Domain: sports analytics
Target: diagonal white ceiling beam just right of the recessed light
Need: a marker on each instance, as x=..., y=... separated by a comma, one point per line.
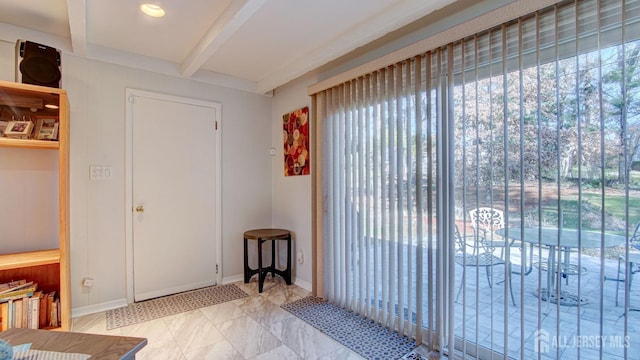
x=234, y=16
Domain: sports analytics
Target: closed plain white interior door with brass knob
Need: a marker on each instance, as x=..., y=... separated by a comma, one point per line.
x=174, y=180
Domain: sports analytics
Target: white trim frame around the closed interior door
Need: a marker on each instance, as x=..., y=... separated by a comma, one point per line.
x=130, y=95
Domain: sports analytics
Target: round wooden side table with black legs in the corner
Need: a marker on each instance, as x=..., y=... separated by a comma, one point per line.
x=262, y=235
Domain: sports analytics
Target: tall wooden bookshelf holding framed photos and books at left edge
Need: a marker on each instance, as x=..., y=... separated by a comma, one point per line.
x=49, y=268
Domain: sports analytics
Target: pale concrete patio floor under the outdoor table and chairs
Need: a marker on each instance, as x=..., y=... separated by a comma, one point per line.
x=561, y=331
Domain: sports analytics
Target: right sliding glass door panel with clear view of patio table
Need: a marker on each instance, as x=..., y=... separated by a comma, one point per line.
x=547, y=130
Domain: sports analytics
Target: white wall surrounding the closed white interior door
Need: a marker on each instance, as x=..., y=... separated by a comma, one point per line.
x=97, y=101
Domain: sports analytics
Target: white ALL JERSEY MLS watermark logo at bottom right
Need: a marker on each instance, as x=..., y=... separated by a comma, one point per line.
x=545, y=343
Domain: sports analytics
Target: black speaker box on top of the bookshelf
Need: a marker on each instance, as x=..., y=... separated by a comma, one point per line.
x=37, y=64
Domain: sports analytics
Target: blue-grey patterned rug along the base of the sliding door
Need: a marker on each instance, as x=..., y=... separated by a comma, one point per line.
x=356, y=332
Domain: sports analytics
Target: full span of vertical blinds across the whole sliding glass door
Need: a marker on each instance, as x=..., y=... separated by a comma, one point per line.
x=537, y=118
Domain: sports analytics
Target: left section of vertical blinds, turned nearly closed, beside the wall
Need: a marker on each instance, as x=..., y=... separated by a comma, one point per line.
x=380, y=141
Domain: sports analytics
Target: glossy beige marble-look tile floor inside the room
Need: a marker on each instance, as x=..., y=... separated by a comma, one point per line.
x=254, y=327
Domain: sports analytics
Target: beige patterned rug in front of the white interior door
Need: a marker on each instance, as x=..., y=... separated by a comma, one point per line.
x=173, y=304
